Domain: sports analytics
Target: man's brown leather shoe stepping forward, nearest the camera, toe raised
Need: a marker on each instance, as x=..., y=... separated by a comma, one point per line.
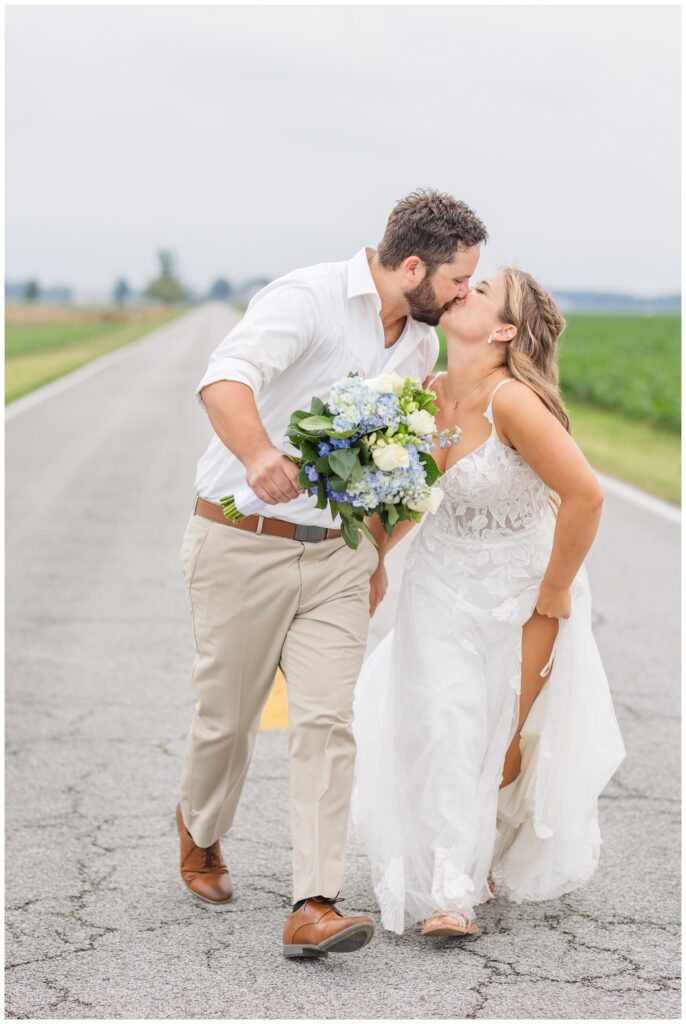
x=320, y=928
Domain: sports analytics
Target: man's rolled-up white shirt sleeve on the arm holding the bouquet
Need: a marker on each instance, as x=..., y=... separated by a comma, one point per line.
x=281, y=324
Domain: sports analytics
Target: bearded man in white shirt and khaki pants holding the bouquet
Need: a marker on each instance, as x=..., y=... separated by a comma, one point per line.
x=283, y=589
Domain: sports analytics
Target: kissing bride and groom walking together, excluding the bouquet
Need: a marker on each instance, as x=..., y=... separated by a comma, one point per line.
x=476, y=740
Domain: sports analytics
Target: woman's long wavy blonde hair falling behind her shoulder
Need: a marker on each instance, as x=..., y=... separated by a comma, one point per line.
x=532, y=356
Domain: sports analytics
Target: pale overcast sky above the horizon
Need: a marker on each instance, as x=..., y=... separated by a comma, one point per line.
x=252, y=141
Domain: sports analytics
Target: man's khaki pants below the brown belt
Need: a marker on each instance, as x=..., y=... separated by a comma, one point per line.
x=260, y=603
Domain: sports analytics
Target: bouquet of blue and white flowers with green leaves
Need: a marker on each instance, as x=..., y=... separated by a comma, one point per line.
x=367, y=450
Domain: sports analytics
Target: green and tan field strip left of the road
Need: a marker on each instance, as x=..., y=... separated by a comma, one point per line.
x=45, y=344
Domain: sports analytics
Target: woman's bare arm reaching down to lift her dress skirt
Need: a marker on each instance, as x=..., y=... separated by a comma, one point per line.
x=526, y=424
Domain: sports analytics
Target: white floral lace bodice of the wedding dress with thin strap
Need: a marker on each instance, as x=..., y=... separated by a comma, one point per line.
x=490, y=493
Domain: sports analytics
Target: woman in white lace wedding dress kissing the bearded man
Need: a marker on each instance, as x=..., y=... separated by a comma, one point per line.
x=485, y=726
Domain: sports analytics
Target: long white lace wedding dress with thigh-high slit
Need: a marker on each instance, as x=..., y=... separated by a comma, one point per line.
x=438, y=704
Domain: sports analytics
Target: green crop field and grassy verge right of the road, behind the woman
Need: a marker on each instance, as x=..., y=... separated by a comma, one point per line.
x=621, y=377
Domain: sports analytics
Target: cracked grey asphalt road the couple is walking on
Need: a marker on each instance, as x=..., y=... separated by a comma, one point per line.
x=100, y=486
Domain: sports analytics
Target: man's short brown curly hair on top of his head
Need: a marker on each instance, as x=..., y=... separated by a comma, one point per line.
x=433, y=226
